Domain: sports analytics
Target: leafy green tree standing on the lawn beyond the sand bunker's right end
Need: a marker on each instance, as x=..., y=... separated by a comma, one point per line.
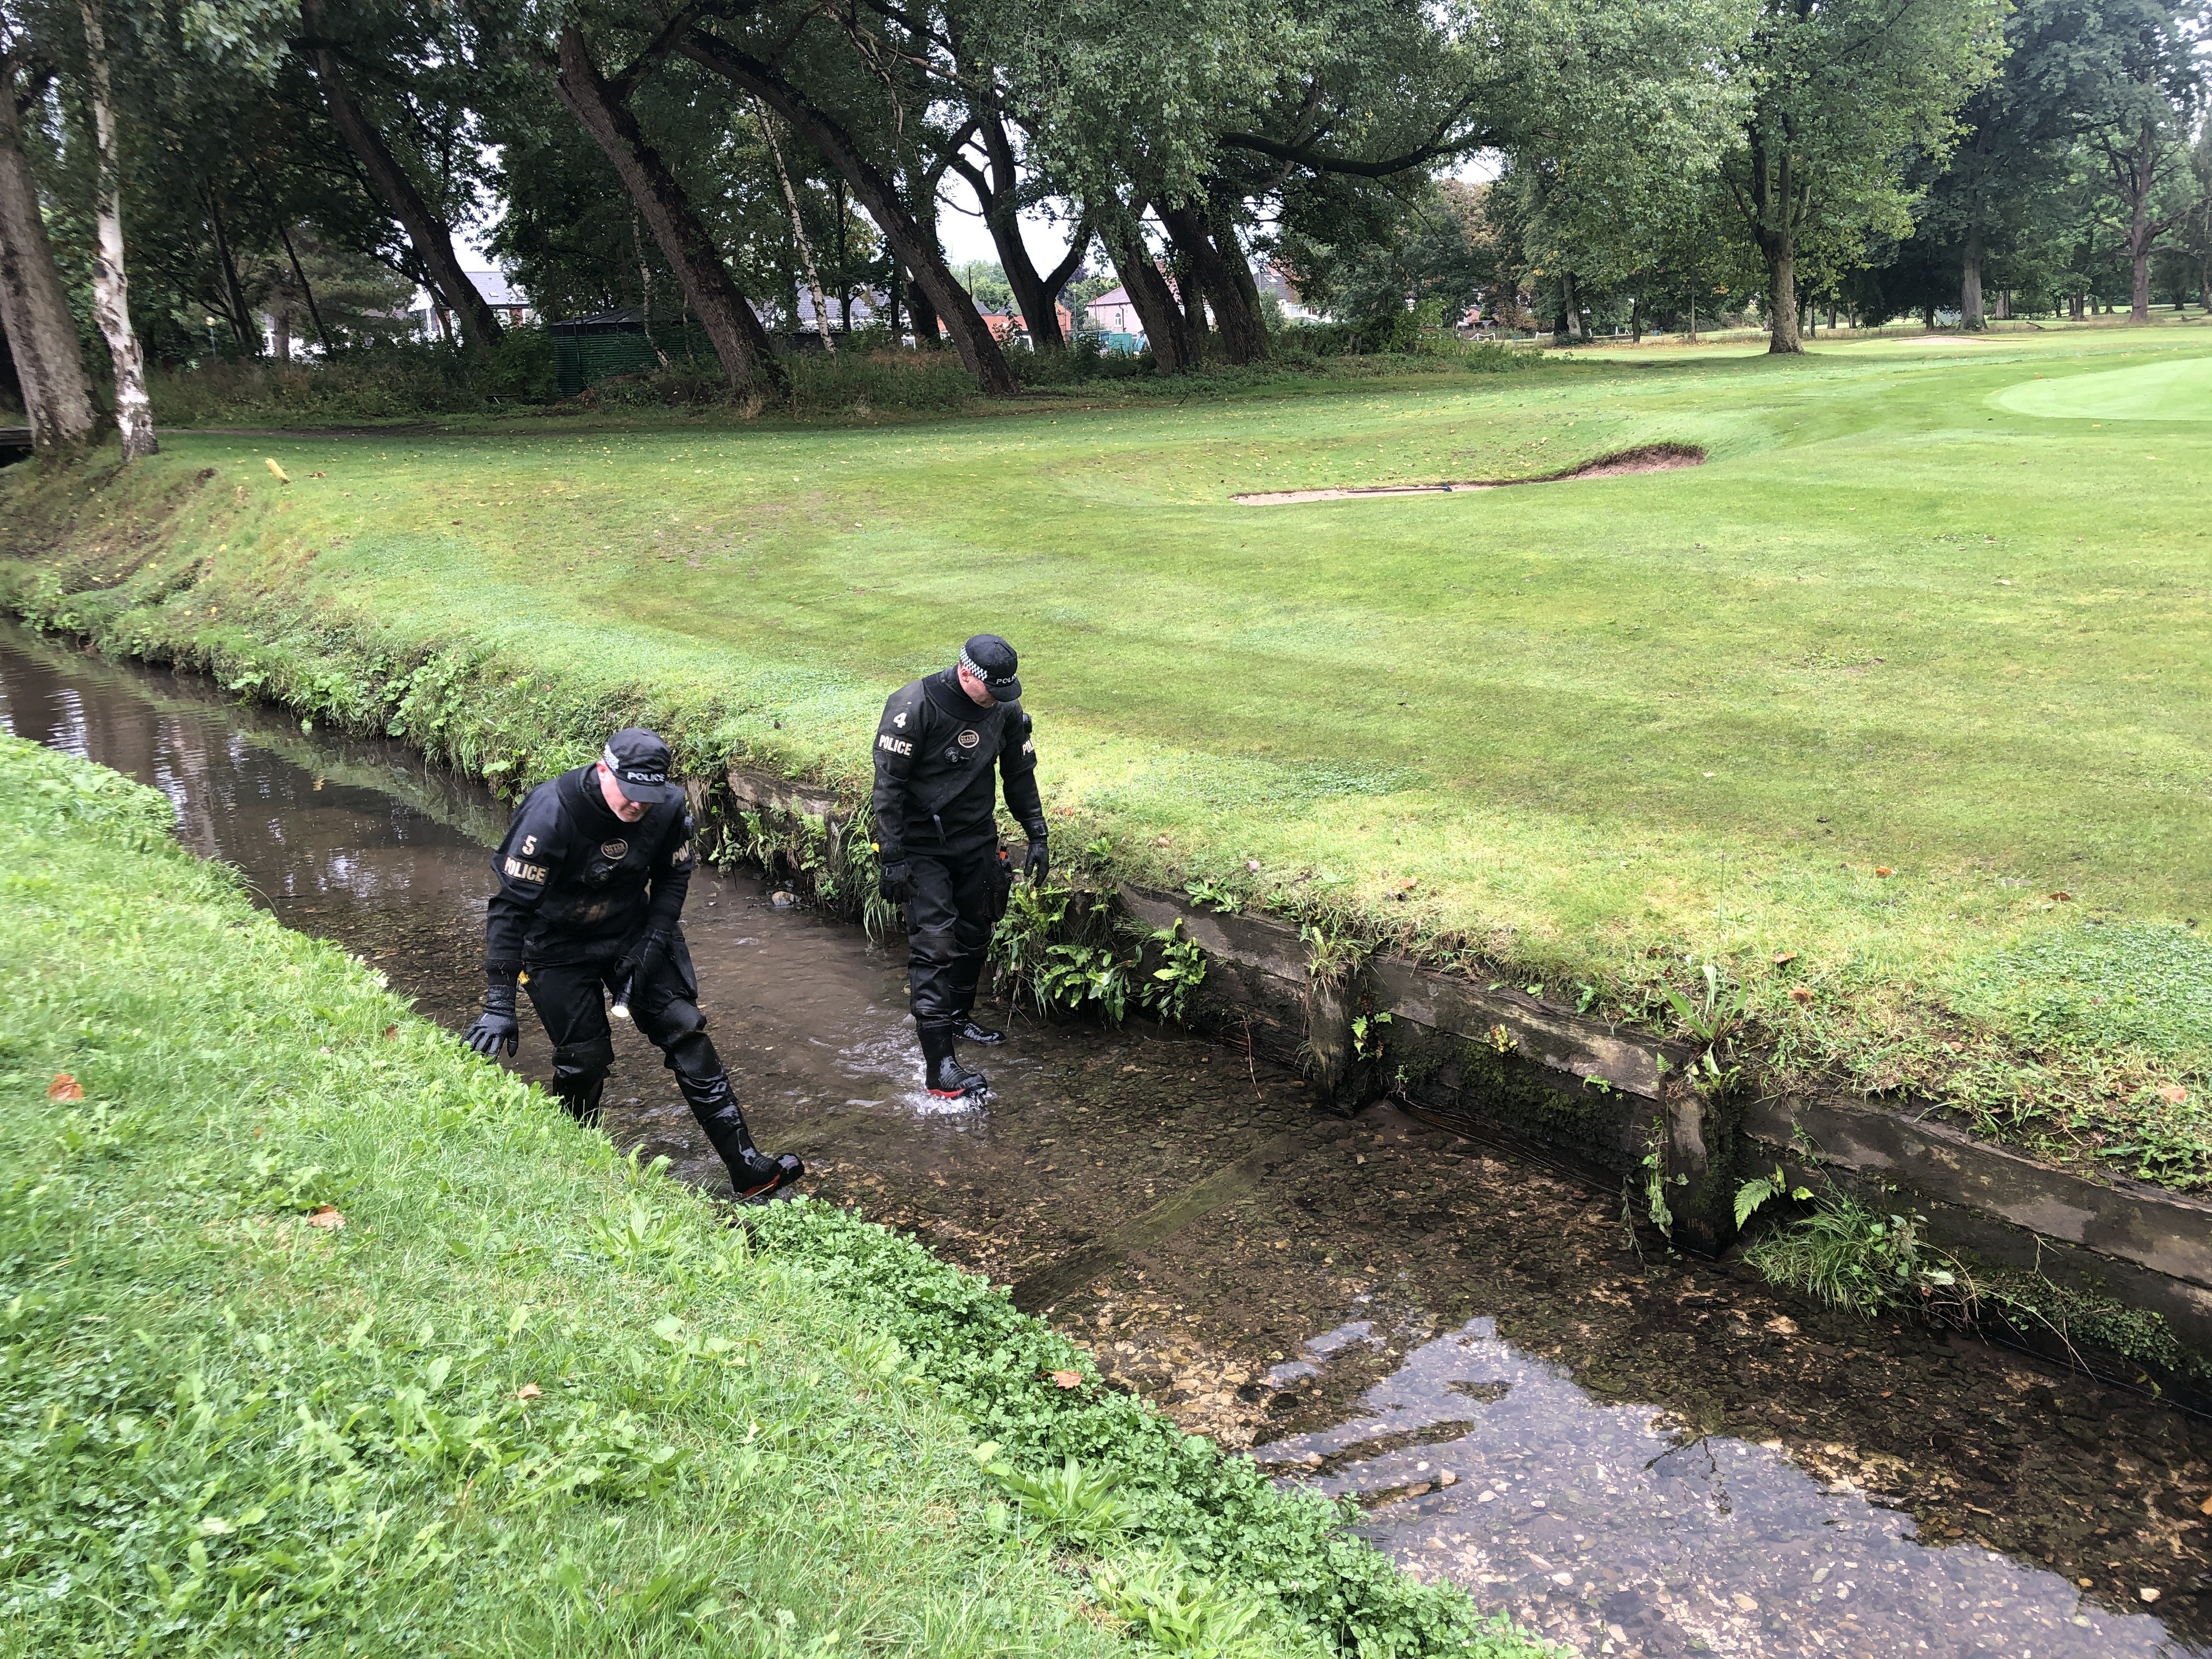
x=1841, y=94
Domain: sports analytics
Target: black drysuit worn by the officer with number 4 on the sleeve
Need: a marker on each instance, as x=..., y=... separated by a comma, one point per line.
x=939, y=764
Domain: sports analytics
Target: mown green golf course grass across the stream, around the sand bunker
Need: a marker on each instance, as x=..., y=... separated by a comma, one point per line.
x=1611, y=731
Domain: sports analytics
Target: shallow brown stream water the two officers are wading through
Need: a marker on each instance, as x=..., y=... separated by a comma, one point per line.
x=1629, y=1452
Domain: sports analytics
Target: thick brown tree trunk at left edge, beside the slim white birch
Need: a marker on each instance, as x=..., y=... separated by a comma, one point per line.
x=41, y=335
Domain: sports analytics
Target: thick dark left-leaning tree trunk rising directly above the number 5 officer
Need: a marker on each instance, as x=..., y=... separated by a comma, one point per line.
x=749, y=362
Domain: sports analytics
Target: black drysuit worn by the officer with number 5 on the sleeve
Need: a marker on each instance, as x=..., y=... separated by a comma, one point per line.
x=578, y=893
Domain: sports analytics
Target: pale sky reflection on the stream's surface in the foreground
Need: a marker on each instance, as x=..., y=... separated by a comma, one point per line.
x=1609, y=1530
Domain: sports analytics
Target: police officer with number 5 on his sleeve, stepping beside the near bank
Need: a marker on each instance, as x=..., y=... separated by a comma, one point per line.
x=592, y=886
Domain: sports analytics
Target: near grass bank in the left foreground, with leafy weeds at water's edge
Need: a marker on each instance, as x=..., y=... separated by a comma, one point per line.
x=322, y=1337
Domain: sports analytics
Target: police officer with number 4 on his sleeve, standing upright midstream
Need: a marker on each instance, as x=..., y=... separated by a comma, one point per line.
x=941, y=749
